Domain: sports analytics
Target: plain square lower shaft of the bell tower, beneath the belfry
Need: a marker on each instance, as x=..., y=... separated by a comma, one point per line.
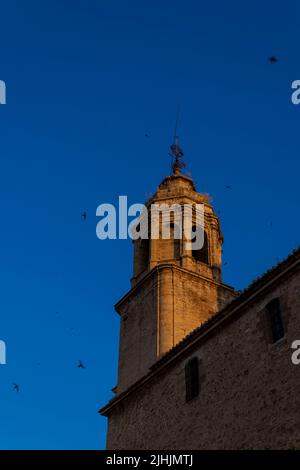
x=163, y=310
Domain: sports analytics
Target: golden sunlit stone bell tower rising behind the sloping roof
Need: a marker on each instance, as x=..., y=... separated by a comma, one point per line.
x=173, y=289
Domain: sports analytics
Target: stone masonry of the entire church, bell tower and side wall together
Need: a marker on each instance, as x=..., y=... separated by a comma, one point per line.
x=178, y=308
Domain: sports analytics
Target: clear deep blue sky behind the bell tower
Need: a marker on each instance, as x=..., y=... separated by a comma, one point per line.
x=85, y=81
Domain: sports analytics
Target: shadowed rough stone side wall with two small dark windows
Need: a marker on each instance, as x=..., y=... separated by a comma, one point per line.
x=249, y=395
